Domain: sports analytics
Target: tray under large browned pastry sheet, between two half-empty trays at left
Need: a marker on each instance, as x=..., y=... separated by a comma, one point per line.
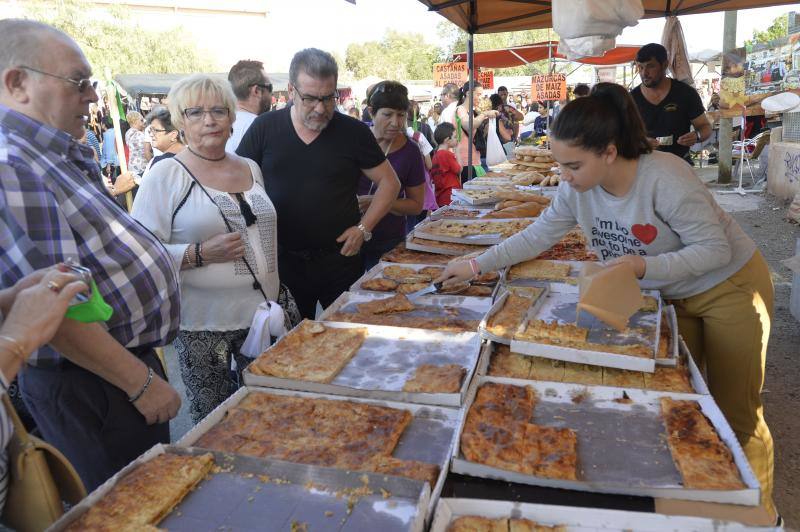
x=430, y=437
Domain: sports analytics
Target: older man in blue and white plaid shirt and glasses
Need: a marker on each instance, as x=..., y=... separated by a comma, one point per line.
x=98, y=391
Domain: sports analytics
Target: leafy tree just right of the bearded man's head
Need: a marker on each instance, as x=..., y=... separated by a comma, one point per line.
x=397, y=55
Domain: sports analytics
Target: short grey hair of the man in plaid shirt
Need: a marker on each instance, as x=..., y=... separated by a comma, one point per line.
x=21, y=42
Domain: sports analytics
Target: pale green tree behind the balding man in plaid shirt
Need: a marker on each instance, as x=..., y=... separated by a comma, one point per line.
x=110, y=40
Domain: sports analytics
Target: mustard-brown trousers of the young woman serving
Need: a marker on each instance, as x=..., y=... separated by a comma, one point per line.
x=726, y=329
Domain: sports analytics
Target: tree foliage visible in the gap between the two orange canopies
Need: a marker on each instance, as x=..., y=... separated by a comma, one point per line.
x=456, y=40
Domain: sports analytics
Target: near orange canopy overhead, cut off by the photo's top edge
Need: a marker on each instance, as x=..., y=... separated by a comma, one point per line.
x=494, y=16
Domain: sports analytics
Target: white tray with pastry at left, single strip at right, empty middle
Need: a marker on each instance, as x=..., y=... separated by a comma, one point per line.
x=621, y=447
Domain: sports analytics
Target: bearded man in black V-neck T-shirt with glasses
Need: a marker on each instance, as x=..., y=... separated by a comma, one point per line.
x=312, y=158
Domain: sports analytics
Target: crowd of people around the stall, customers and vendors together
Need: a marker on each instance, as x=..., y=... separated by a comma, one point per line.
x=236, y=207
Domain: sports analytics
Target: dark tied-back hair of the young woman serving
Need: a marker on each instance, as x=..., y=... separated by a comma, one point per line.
x=607, y=116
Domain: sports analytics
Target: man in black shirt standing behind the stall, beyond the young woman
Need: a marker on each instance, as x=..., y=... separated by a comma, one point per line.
x=668, y=106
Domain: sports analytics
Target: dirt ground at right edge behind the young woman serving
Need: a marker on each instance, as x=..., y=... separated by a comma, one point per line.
x=776, y=238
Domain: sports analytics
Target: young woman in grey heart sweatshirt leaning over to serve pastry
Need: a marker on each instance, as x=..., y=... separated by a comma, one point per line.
x=649, y=209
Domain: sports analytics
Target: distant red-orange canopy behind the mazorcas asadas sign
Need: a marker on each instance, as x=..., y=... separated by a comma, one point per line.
x=530, y=53
